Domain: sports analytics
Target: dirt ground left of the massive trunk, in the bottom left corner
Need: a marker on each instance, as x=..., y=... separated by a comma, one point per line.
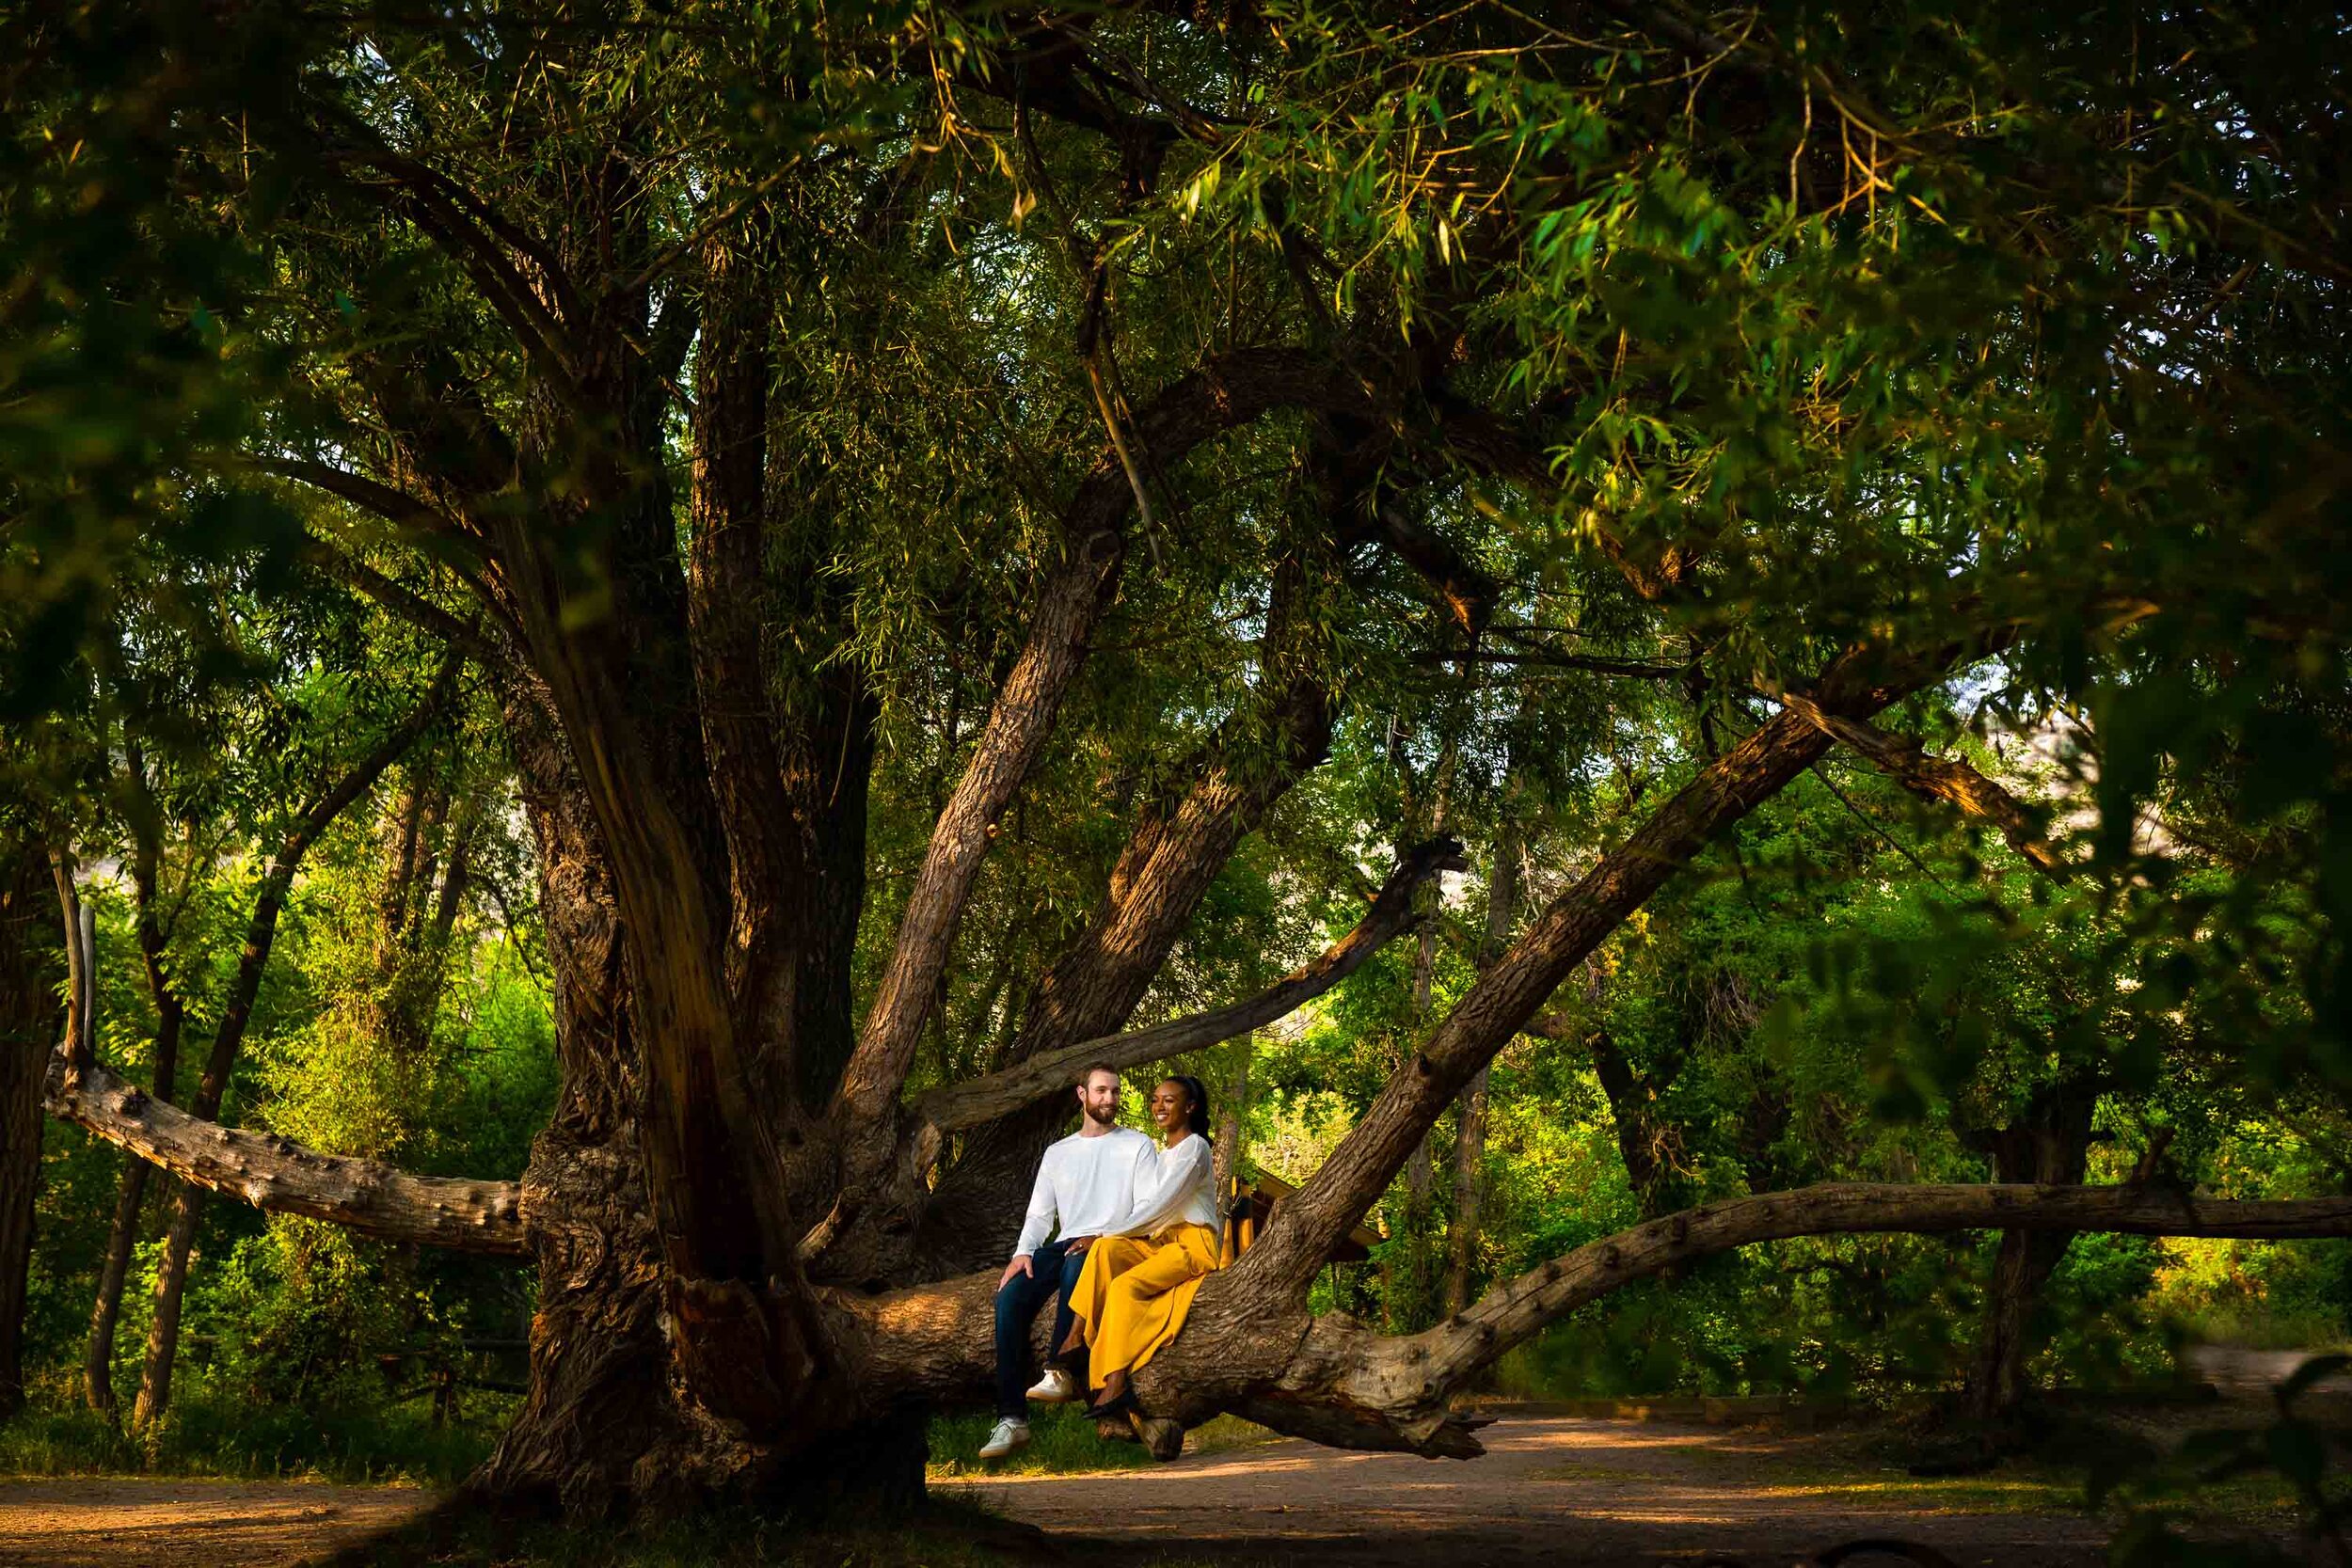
x=189, y=1525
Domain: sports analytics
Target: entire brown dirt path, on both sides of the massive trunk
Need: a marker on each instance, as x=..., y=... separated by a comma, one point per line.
x=1558, y=1492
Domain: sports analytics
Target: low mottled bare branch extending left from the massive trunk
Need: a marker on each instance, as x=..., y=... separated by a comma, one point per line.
x=283, y=1177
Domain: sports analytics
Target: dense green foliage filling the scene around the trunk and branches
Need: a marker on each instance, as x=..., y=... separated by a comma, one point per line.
x=1702, y=349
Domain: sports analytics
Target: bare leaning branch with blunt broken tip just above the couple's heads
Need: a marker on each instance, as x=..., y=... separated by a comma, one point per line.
x=1391, y=916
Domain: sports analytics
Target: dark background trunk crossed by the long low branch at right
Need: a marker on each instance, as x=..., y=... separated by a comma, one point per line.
x=2050, y=1144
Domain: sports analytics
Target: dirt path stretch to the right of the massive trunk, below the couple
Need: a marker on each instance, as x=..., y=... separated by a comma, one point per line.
x=1549, y=1492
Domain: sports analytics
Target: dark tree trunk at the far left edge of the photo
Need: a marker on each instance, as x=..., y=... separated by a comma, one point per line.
x=29, y=965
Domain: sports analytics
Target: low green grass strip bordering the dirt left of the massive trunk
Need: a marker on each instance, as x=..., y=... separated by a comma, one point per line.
x=215, y=1433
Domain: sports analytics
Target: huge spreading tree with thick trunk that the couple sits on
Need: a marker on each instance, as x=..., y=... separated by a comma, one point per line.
x=756, y=396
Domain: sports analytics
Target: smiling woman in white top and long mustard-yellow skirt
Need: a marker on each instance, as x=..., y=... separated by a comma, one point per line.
x=1142, y=1275
